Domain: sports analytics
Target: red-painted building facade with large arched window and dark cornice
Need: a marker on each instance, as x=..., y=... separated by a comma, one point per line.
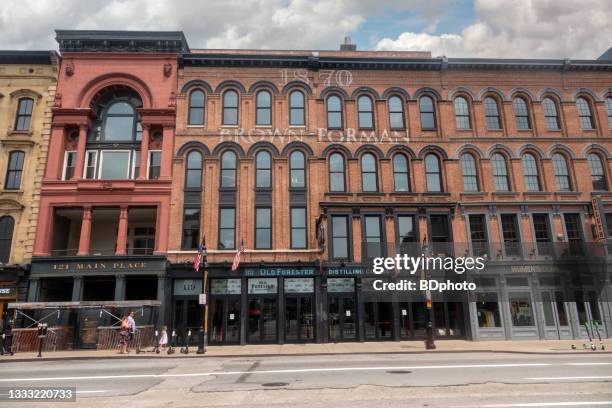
x=105, y=196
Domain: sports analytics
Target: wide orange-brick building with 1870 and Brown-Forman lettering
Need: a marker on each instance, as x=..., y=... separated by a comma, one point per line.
x=319, y=161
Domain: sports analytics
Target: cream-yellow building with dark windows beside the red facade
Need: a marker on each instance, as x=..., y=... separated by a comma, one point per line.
x=27, y=91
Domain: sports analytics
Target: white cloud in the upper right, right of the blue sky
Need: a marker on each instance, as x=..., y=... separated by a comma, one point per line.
x=521, y=29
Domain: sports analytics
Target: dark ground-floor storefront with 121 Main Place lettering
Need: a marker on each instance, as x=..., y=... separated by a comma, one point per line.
x=98, y=279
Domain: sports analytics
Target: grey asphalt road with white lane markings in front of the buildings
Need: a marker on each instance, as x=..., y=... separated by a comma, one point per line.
x=384, y=380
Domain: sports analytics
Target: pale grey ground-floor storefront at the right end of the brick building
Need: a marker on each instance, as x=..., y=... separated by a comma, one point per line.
x=539, y=301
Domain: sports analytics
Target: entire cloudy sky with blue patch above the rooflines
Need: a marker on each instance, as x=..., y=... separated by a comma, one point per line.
x=455, y=28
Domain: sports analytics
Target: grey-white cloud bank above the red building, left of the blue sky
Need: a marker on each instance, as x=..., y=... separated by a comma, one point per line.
x=288, y=24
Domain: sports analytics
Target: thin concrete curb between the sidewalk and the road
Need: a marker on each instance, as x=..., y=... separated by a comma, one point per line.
x=194, y=355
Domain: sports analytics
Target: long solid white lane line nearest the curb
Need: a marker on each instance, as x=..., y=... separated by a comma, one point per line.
x=290, y=371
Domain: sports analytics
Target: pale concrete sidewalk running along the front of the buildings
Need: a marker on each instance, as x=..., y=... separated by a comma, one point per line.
x=442, y=346
